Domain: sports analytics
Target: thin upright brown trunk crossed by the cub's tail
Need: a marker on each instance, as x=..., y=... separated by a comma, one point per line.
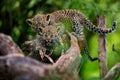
x=102, y=49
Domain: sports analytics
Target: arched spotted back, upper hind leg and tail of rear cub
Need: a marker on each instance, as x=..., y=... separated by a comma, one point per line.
x=79, y=20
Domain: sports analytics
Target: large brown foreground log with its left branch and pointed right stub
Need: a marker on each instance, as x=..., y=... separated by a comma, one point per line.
x=15, y=66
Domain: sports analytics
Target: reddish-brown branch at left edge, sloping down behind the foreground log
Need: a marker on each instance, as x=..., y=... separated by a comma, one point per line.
x=7, y=46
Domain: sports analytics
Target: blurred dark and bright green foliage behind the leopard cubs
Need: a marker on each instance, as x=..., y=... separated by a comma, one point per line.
x=13, y=14
